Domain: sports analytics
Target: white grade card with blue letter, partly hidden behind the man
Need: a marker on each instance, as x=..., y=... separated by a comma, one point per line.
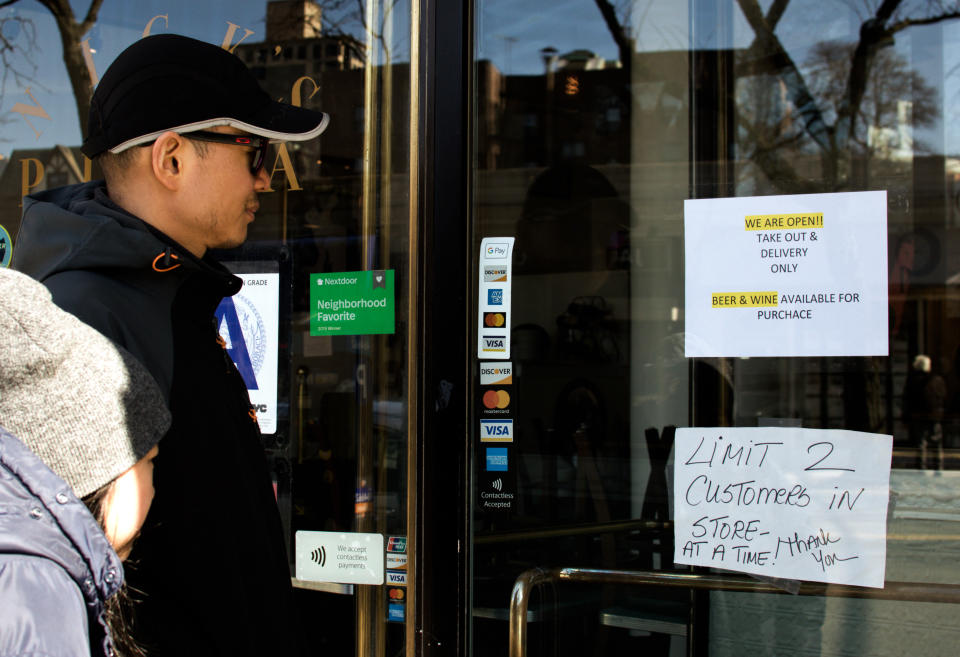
x=249, y=325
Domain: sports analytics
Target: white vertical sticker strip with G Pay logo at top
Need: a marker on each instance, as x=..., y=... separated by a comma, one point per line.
x=493, y=311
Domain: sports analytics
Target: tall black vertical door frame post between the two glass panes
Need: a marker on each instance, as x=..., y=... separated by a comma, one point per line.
x=439, y=364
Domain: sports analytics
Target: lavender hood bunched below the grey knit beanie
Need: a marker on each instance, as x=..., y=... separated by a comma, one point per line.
x=43, y=518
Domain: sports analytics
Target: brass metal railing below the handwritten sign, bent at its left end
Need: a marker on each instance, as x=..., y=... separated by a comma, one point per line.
x=530, y=579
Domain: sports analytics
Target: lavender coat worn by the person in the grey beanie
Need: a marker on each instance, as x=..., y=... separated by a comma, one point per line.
x=57, y=568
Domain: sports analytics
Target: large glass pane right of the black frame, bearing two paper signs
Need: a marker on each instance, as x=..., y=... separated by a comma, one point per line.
x=594, y=126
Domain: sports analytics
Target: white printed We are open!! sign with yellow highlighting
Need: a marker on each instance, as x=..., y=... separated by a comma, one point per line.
x=801, y=275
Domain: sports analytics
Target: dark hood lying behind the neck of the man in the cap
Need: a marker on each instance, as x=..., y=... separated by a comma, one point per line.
x=82, y=228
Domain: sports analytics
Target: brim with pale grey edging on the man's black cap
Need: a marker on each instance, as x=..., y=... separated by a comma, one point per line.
x=277, y=122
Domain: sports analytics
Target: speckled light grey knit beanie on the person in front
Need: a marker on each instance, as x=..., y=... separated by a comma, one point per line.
x=82, y=404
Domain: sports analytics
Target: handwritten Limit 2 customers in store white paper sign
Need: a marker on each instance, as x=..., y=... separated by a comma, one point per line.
x=803, y=504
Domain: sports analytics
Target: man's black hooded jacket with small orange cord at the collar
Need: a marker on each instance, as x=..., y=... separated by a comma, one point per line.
x=214, y=518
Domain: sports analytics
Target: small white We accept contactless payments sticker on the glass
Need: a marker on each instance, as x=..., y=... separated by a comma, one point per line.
x=346, y=558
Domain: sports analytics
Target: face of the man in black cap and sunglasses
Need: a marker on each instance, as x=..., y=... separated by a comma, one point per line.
x=222, y=194
